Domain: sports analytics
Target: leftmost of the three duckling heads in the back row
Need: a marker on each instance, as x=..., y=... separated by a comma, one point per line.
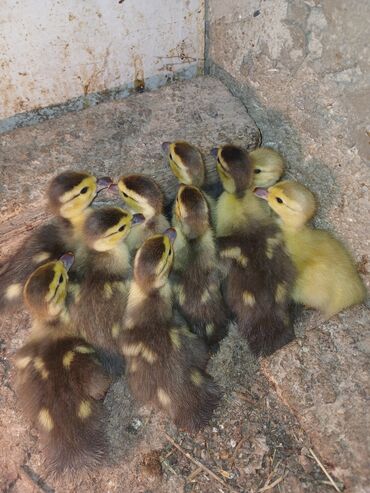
x=186, y=162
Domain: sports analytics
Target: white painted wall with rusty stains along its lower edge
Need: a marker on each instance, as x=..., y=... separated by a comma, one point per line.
x=55, y=50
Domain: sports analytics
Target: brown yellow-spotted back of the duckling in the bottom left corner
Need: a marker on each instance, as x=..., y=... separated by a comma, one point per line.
x=60, y=385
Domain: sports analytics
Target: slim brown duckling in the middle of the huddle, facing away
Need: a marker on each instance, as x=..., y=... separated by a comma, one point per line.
x=196, y=270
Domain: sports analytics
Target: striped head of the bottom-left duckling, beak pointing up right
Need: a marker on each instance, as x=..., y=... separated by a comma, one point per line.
x=46, y=289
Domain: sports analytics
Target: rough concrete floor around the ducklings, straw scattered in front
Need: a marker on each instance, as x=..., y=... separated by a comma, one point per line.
x=311, y=394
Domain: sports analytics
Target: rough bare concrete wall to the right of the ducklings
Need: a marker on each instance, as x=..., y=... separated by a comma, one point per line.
x=302, y=68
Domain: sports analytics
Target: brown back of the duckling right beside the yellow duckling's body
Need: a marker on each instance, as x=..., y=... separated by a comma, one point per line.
x=258, y=286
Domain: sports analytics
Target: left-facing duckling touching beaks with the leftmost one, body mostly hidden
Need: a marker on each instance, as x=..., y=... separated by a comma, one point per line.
x=143, y=195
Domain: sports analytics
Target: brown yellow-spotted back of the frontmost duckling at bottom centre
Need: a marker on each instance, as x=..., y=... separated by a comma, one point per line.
x=165, y=367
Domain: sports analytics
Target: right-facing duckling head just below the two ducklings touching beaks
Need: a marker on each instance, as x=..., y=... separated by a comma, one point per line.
x=106, y=227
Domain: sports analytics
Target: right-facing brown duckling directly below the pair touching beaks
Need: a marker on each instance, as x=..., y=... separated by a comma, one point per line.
x=101, y=296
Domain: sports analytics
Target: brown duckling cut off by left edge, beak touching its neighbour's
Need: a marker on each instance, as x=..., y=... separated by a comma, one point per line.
x=69, y=196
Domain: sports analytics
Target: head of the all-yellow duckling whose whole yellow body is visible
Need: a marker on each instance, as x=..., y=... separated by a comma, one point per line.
x=292, y=201
